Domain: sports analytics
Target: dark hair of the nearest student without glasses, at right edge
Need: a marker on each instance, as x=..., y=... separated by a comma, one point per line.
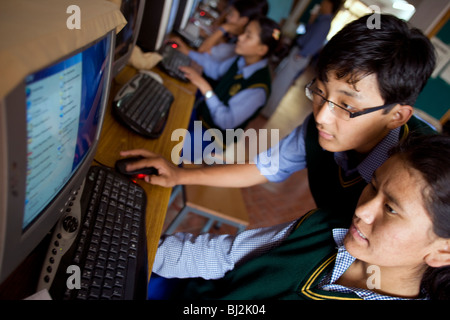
x=430, y=155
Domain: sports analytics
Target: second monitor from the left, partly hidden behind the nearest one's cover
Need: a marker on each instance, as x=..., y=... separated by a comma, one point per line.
x=132, y=10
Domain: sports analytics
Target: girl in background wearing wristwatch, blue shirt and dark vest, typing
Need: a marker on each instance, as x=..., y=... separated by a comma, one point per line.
x=242, y=81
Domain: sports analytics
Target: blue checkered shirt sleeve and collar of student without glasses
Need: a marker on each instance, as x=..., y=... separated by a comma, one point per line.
x=210, y=256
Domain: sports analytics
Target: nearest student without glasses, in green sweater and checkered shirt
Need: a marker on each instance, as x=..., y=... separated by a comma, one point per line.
x=394, y=246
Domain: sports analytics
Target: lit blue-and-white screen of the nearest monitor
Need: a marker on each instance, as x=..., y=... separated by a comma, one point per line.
x=63, y=105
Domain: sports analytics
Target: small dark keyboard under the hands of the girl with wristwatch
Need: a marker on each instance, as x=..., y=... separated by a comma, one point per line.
x=172, y=59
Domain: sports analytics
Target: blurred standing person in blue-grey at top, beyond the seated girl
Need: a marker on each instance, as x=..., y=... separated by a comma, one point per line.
x=305, y=47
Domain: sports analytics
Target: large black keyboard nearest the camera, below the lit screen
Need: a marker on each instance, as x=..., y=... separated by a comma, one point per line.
x=104, y=240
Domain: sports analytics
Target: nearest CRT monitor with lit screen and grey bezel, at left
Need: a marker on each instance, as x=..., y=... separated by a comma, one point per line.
x=50, y=127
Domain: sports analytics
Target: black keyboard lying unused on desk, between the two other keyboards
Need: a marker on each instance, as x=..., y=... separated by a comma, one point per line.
x=143, y=105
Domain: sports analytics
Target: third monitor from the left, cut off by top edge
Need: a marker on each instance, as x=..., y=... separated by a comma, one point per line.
x=157, y=22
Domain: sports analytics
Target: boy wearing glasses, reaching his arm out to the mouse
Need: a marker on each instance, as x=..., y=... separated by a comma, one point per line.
x=366, y=84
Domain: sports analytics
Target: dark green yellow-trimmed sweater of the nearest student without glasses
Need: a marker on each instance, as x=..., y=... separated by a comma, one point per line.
x=289, y=271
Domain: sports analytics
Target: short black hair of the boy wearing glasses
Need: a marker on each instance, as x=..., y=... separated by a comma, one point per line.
x=401, y=58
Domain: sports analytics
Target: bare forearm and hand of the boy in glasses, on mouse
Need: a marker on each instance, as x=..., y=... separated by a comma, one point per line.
x=169, y=175
